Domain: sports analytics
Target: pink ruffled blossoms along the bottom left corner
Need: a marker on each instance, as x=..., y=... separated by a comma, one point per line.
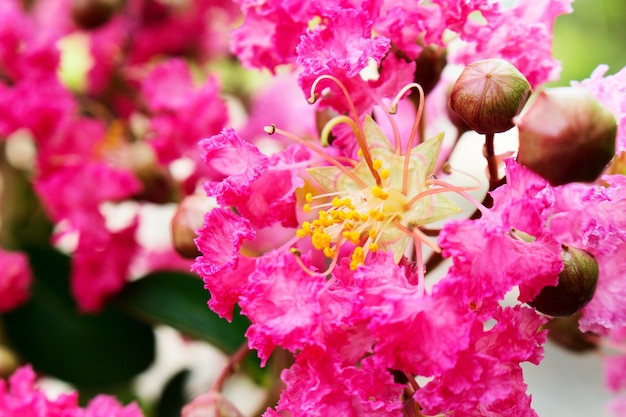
x=20, y=397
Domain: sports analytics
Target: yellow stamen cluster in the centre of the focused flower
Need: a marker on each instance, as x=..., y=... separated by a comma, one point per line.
x=357, y=217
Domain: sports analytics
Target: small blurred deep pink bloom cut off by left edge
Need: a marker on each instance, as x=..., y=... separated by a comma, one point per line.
x=15, y=279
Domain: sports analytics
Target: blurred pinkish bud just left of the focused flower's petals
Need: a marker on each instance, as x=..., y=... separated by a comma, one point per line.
x=188, y=218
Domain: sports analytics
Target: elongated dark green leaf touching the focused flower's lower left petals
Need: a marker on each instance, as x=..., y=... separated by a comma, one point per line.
x=180, y=300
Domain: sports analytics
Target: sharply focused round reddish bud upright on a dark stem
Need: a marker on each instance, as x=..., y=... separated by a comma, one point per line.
x=489, y=94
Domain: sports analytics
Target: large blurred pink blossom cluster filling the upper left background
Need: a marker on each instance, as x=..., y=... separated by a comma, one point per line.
x=88, y=152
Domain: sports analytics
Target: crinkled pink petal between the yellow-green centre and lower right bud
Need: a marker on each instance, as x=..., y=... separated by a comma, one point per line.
x=490, y=256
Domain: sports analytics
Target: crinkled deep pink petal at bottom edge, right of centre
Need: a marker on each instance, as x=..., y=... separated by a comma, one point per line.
x=487, y=378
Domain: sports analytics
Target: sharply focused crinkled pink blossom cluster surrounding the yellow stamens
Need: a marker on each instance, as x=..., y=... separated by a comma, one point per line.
x=370, y=339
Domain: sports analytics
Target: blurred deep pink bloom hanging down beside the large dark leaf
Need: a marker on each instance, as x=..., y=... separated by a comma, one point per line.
x=63, y=195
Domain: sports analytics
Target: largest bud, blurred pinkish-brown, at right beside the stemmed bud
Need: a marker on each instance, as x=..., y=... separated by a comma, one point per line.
x=566, y=135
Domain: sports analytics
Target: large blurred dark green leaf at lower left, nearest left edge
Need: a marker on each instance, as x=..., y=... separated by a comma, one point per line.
x=86, y=350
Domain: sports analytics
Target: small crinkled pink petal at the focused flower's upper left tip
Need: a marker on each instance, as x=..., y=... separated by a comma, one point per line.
x=238, y=161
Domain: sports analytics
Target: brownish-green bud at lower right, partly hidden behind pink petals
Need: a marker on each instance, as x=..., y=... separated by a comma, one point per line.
x=576, y=286
